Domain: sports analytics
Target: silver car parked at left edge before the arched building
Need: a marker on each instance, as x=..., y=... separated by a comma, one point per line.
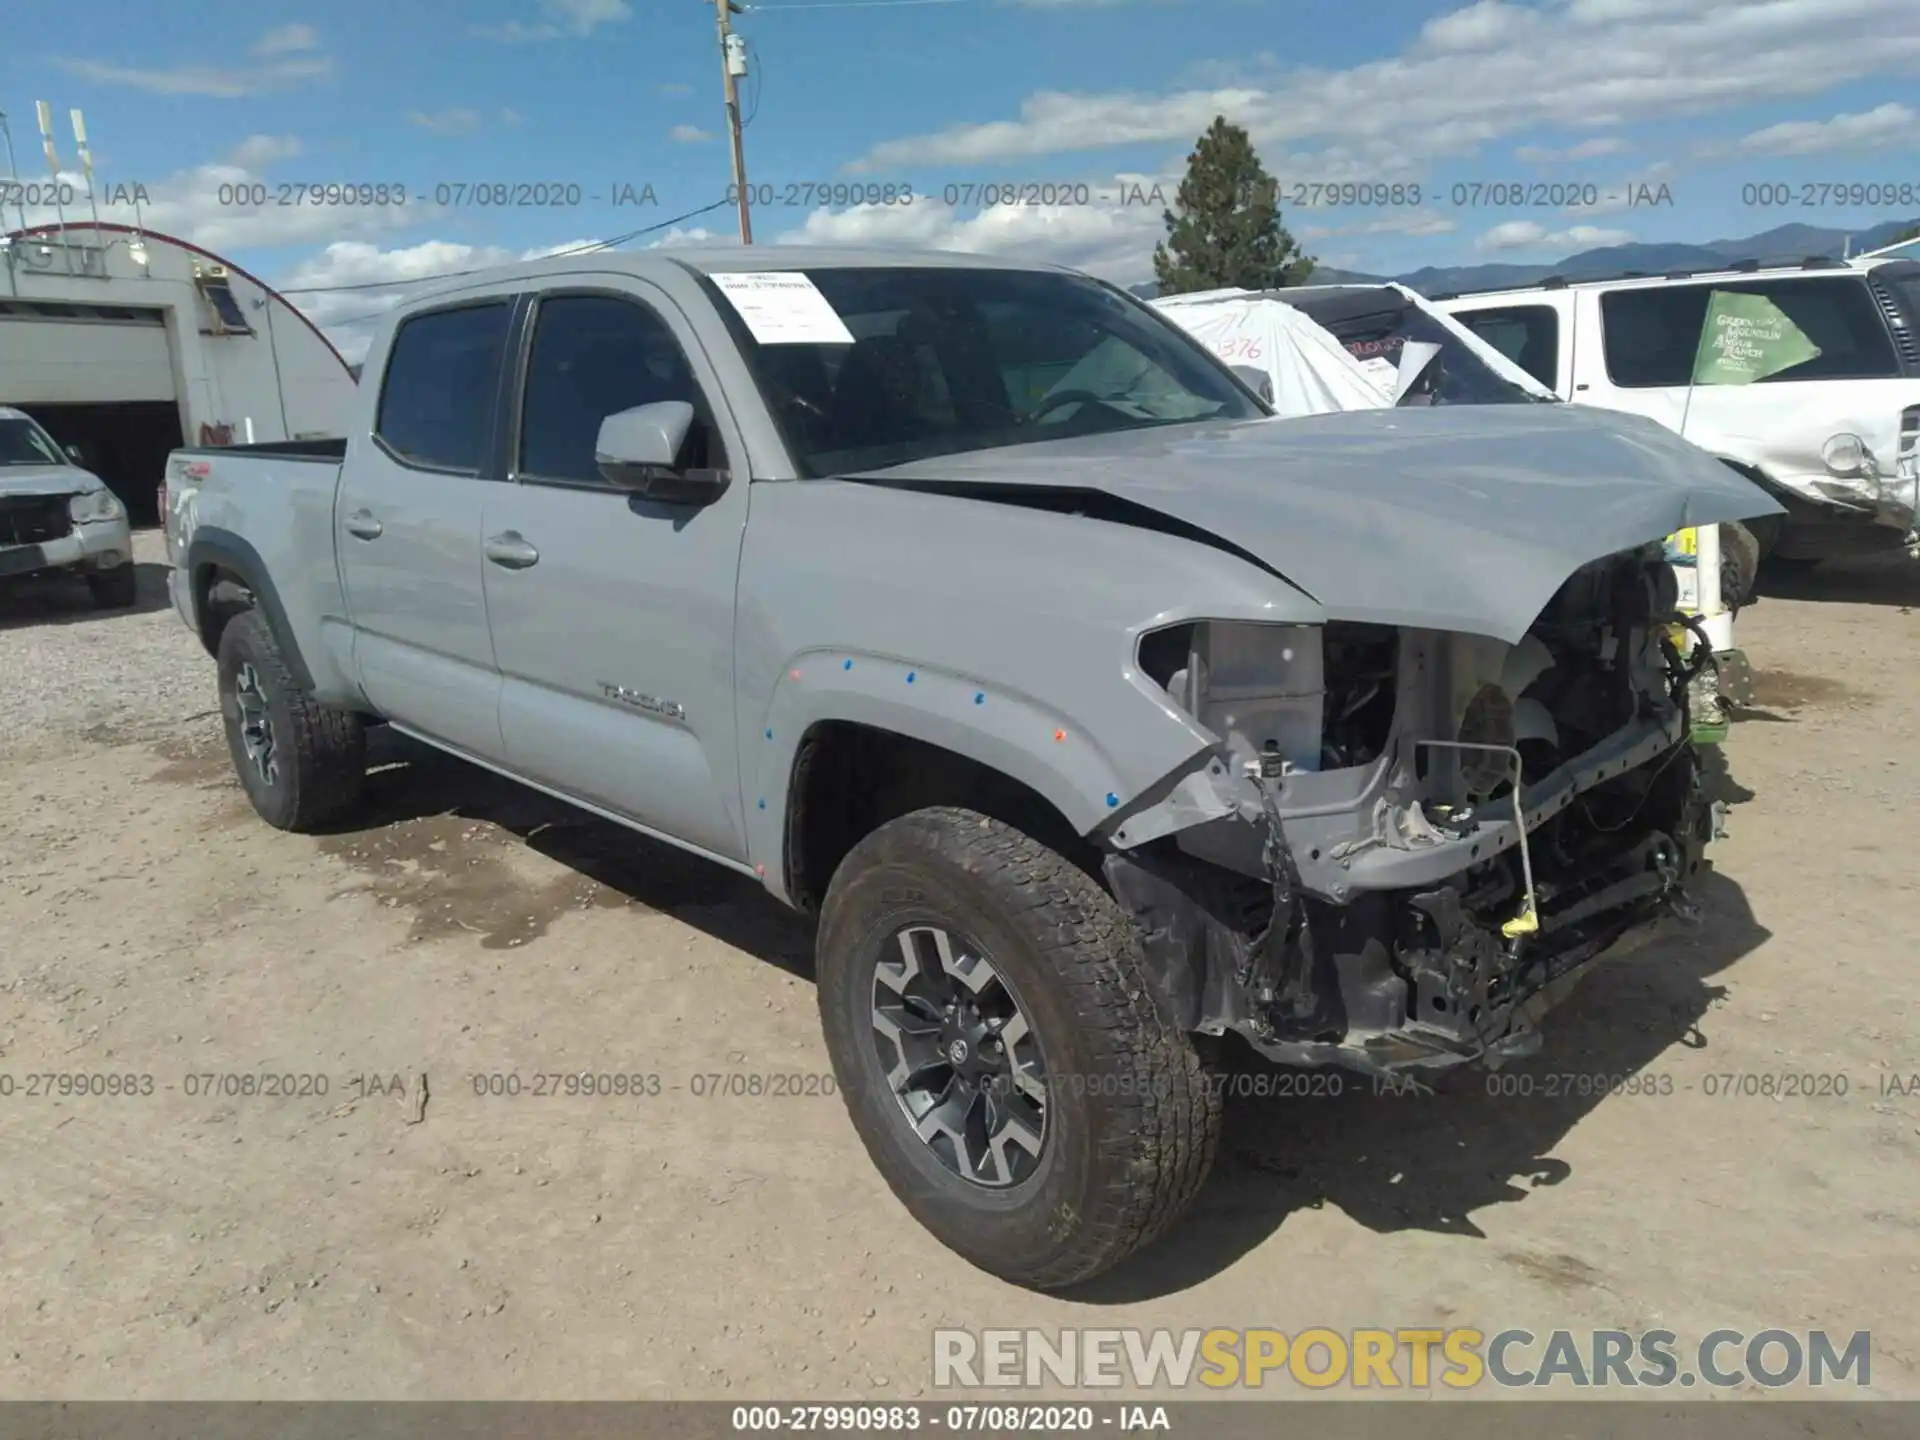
x=59, y=517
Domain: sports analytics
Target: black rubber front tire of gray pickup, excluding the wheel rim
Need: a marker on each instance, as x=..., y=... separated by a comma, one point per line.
x=1132, y=1116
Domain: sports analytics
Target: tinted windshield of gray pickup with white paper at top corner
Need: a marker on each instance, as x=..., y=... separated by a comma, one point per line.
x=957, y=360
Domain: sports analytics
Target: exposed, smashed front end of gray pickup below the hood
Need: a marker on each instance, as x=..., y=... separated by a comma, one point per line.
x=1431, y=834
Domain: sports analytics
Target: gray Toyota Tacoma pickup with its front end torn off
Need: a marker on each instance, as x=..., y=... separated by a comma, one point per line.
x=1097, y=713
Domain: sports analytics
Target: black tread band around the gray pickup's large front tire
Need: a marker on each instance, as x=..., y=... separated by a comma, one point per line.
x=1155, y=1166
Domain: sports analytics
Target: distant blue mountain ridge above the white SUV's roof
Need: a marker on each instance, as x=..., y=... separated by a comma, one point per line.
x=1787, y=243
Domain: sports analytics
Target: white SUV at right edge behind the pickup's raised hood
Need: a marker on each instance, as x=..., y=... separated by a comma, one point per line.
x=1835, y=437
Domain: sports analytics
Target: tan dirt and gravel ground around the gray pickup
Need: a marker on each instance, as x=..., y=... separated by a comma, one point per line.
x=395, y=1241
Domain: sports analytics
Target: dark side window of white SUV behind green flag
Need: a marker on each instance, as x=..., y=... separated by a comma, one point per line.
x=1652, y=335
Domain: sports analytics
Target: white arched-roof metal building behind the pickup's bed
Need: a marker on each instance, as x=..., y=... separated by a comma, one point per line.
x=128, y=345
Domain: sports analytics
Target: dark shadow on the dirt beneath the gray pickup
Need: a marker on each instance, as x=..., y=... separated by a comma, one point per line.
x=1295, y=1140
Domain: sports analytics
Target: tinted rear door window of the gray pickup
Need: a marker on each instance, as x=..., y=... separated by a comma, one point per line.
x=437, y=398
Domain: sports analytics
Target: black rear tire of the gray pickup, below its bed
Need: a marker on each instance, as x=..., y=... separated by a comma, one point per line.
x=322, y=752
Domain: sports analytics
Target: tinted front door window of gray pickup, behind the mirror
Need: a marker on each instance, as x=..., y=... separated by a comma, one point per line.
x=596, y=356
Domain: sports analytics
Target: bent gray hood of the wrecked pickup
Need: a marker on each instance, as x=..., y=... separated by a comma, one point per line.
x=1454, y=519
